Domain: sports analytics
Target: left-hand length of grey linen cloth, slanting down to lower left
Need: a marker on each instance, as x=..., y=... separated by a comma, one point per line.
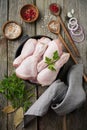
x=41, y=106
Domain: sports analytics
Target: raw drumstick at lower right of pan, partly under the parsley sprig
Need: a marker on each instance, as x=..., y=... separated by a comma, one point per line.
x=47, y=76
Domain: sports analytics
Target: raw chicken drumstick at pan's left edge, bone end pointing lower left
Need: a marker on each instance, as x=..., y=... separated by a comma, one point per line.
x=27, y=50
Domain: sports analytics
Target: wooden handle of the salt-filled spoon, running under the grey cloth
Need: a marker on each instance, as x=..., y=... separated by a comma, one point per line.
x=67, y=48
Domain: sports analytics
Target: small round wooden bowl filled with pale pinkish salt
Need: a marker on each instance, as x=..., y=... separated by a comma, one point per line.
x=12, y=30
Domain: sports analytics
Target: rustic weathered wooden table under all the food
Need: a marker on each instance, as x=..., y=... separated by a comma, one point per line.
x=9, y=10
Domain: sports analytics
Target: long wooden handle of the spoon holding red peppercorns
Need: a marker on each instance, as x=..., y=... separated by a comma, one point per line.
x=68, y=36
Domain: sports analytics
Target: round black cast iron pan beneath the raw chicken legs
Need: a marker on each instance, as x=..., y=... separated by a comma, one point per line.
x=63, y=71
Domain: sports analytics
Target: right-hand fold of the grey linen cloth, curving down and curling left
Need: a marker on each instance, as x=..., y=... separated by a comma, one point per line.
x=75, y=94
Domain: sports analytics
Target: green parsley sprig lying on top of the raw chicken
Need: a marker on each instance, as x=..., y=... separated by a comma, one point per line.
x=51, y=62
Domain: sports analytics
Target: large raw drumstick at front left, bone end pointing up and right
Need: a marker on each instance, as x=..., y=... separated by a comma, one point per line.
x=28, y=67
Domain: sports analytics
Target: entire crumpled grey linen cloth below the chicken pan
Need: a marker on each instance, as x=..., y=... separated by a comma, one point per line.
x=62, y=99
